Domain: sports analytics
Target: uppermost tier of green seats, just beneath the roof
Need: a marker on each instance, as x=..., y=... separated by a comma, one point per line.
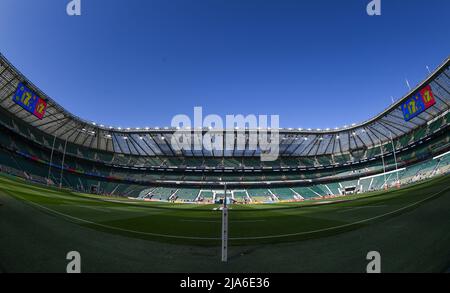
x=119, y=159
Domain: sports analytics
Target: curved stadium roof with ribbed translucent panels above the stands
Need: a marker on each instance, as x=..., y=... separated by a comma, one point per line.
x=293, y=142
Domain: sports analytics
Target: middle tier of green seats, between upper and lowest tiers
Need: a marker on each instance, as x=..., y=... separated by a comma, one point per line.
x=86, y=167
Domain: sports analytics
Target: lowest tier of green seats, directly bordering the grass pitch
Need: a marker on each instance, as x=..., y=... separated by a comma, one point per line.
x=410, y=174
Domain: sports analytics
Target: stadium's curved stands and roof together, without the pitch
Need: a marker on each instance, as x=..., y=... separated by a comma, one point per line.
x=62, y=149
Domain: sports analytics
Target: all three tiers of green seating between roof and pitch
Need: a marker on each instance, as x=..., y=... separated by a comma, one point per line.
x=89, y=162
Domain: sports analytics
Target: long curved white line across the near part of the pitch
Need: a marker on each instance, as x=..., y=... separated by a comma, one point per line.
x=238, y=238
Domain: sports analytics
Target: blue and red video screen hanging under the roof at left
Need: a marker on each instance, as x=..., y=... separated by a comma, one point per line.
x=28, y=100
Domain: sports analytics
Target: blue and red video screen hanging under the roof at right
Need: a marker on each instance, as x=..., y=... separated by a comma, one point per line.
x=418, y=103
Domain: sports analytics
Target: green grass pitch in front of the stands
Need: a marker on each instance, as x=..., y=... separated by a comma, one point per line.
x=250, y=226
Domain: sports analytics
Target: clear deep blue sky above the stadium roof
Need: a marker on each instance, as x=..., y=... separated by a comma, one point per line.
x=137, y=63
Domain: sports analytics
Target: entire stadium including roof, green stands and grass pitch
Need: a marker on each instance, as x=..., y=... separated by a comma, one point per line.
x=360, y=188
